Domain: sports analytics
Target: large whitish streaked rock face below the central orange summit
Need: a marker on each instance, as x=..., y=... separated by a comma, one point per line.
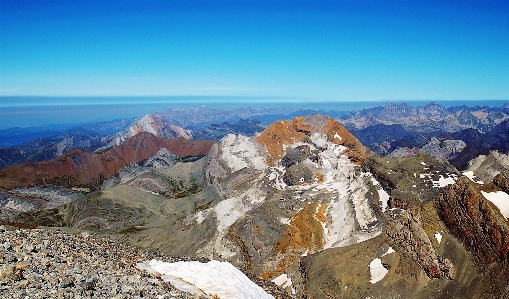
x=349, y=208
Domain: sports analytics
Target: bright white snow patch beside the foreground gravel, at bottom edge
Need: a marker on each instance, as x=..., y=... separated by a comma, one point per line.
x=213, y=279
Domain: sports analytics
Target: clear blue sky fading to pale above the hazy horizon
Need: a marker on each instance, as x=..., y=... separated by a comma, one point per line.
x=319, y=50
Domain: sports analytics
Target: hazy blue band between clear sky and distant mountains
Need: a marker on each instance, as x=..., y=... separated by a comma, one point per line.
x=30, y=112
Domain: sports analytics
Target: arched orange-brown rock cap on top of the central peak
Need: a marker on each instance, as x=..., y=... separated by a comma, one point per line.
x=276, y=137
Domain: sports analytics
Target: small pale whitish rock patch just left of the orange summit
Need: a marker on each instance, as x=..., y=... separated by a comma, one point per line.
x=239, y=151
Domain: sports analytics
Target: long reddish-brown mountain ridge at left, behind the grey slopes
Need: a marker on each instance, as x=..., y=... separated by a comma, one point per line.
x=82, y=168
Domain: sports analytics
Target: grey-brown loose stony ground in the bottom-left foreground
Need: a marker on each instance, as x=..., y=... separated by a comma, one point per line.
x=37, y=263
